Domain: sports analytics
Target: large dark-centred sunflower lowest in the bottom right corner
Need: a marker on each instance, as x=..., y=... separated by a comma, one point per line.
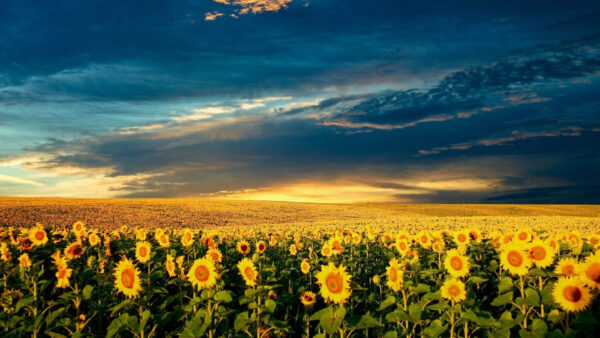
x=571, y=294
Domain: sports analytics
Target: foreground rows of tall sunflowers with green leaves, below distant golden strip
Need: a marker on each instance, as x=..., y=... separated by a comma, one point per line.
x=359, y=282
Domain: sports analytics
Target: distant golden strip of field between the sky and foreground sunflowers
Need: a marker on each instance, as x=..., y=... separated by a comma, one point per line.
x=110, y=214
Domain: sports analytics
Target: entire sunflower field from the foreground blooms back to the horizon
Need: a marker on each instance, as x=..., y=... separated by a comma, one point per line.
x=195, y=268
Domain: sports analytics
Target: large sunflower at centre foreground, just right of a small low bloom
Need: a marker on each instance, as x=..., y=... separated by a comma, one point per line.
x=335, y=283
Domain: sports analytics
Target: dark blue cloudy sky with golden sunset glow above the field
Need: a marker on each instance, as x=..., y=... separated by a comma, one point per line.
x=302, y=100
